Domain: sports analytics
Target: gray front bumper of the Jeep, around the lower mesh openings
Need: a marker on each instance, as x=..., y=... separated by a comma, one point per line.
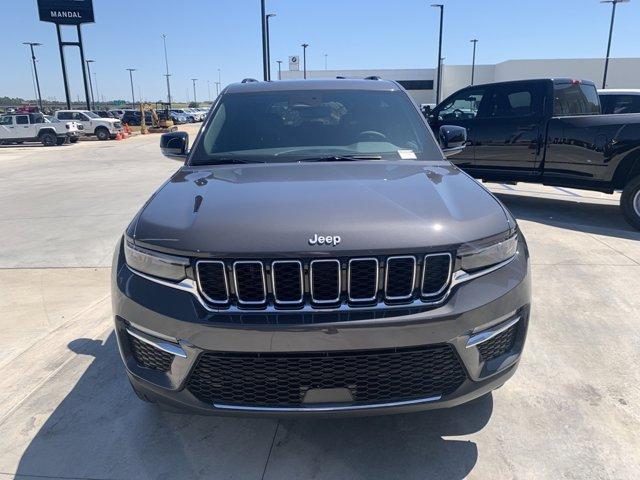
x=174, y=320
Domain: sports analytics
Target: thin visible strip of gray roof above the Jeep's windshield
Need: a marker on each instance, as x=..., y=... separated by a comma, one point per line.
x=315, y=84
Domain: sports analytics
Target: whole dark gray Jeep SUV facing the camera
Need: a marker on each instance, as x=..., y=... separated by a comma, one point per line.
x=317, y=254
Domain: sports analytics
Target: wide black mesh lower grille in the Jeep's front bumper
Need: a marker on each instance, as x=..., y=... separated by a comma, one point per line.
x=282, y=379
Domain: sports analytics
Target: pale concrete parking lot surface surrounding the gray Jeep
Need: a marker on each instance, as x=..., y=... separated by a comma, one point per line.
x=67, y=411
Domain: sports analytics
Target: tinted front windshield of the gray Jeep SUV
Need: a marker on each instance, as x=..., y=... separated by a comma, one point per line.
x=300, y=125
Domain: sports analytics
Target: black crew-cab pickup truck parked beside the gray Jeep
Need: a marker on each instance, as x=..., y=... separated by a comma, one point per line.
x=547, y=131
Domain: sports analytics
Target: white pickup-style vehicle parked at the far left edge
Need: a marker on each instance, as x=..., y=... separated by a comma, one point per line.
x=32, y=127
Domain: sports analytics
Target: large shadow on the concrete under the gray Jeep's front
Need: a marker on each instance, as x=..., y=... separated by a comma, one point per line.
x=101, y=430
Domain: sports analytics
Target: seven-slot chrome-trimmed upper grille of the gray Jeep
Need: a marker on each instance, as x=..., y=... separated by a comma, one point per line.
x=324, y=283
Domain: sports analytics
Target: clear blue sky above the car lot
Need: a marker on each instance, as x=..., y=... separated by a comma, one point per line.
x=206, y=35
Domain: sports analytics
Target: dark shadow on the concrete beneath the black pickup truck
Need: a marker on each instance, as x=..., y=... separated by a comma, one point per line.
x=598, y=218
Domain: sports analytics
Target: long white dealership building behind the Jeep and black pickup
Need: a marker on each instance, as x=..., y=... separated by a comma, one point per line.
x=623, y=73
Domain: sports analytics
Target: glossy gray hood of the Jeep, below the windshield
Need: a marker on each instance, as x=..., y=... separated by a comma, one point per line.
x=374, y=206
